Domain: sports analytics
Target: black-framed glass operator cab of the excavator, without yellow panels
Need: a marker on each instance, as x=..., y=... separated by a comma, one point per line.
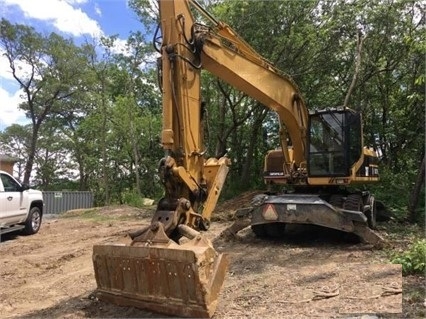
x=335, y=142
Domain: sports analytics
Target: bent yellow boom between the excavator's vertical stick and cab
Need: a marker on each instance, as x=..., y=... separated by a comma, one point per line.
x=228, y=57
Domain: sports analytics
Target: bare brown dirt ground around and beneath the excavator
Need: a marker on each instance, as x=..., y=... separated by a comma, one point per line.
x=310, y=273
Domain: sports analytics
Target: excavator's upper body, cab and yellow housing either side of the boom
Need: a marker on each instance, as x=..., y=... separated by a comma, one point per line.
x=335, y=152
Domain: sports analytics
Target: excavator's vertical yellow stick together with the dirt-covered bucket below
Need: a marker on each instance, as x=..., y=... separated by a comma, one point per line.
x=160, y=270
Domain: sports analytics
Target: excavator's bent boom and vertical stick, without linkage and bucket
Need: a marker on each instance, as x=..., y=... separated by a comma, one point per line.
x=187, y=47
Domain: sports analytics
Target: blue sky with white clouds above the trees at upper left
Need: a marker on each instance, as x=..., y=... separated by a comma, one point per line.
x=77, y=19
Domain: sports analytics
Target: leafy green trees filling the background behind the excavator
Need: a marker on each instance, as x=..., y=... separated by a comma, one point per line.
x=96, y=115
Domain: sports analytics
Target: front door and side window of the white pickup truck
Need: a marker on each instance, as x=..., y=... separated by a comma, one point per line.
x=11, y=210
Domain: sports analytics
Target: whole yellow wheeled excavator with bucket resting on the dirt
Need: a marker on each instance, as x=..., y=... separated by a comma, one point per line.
x=169, y=266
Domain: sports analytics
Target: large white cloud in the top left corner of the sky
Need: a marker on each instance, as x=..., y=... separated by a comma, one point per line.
x=61, y=14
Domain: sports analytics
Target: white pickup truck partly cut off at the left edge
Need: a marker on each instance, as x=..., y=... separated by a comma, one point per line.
x=21, y=208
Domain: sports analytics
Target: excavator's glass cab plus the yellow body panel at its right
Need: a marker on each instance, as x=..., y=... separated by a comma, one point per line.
x=336, y=148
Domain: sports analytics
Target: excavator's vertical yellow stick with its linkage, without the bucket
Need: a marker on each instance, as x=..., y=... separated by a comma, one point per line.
x=192, y=182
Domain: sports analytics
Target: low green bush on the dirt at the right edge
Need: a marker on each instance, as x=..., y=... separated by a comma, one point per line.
x=413, y=260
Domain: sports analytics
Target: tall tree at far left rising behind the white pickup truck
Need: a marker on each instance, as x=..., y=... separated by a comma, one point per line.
x=54, y=69
